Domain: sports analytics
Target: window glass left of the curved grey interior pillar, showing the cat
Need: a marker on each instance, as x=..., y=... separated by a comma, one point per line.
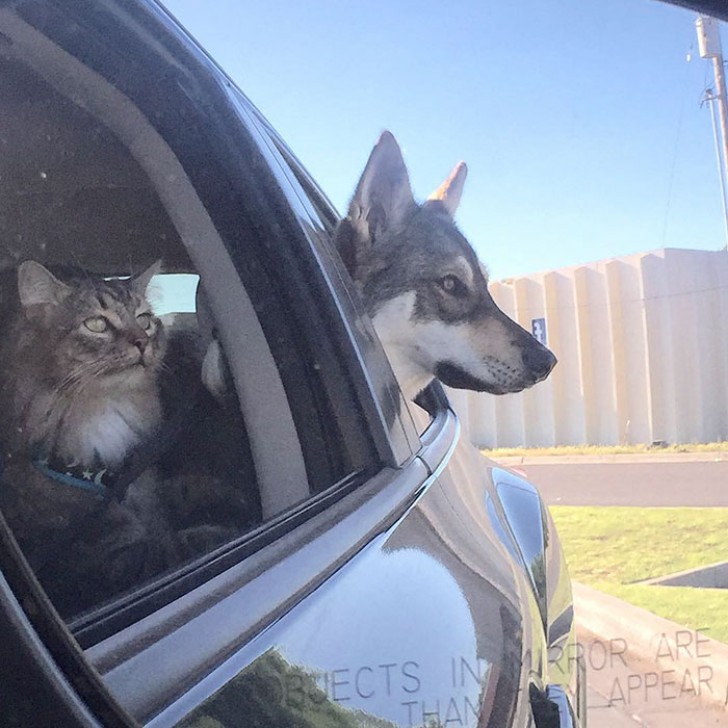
x=124, y=449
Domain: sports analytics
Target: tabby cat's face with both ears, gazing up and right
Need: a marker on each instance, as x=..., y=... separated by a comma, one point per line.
x=90, y=329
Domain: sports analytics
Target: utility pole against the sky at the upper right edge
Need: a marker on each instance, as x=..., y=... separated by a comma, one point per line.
x=709, y=46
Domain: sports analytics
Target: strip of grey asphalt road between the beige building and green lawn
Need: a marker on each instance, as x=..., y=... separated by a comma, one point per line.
x=631, y=484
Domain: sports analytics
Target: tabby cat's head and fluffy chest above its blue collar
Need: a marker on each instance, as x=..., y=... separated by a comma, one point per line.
x=81, y=367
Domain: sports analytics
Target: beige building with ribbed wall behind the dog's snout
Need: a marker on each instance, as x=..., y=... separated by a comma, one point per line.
x=642, y=343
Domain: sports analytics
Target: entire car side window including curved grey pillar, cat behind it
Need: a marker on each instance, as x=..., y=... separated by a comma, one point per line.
x=163, y=395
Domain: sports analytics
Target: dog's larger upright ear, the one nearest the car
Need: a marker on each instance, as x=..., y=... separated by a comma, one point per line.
x=382, y=201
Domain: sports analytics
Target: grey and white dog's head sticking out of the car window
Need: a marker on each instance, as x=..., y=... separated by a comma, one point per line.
x=424, y=289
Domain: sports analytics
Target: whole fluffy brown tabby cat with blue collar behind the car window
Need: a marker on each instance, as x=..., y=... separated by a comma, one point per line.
x=80, y=363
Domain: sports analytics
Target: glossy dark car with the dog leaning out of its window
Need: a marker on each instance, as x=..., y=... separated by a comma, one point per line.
x=368, y=566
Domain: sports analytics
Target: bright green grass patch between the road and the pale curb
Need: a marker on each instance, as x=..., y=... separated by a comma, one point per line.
x=610, y=548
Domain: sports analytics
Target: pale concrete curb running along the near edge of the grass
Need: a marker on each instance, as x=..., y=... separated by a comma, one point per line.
x=682, y=656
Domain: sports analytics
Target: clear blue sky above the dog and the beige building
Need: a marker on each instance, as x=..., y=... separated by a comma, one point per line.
x=580, y=121
